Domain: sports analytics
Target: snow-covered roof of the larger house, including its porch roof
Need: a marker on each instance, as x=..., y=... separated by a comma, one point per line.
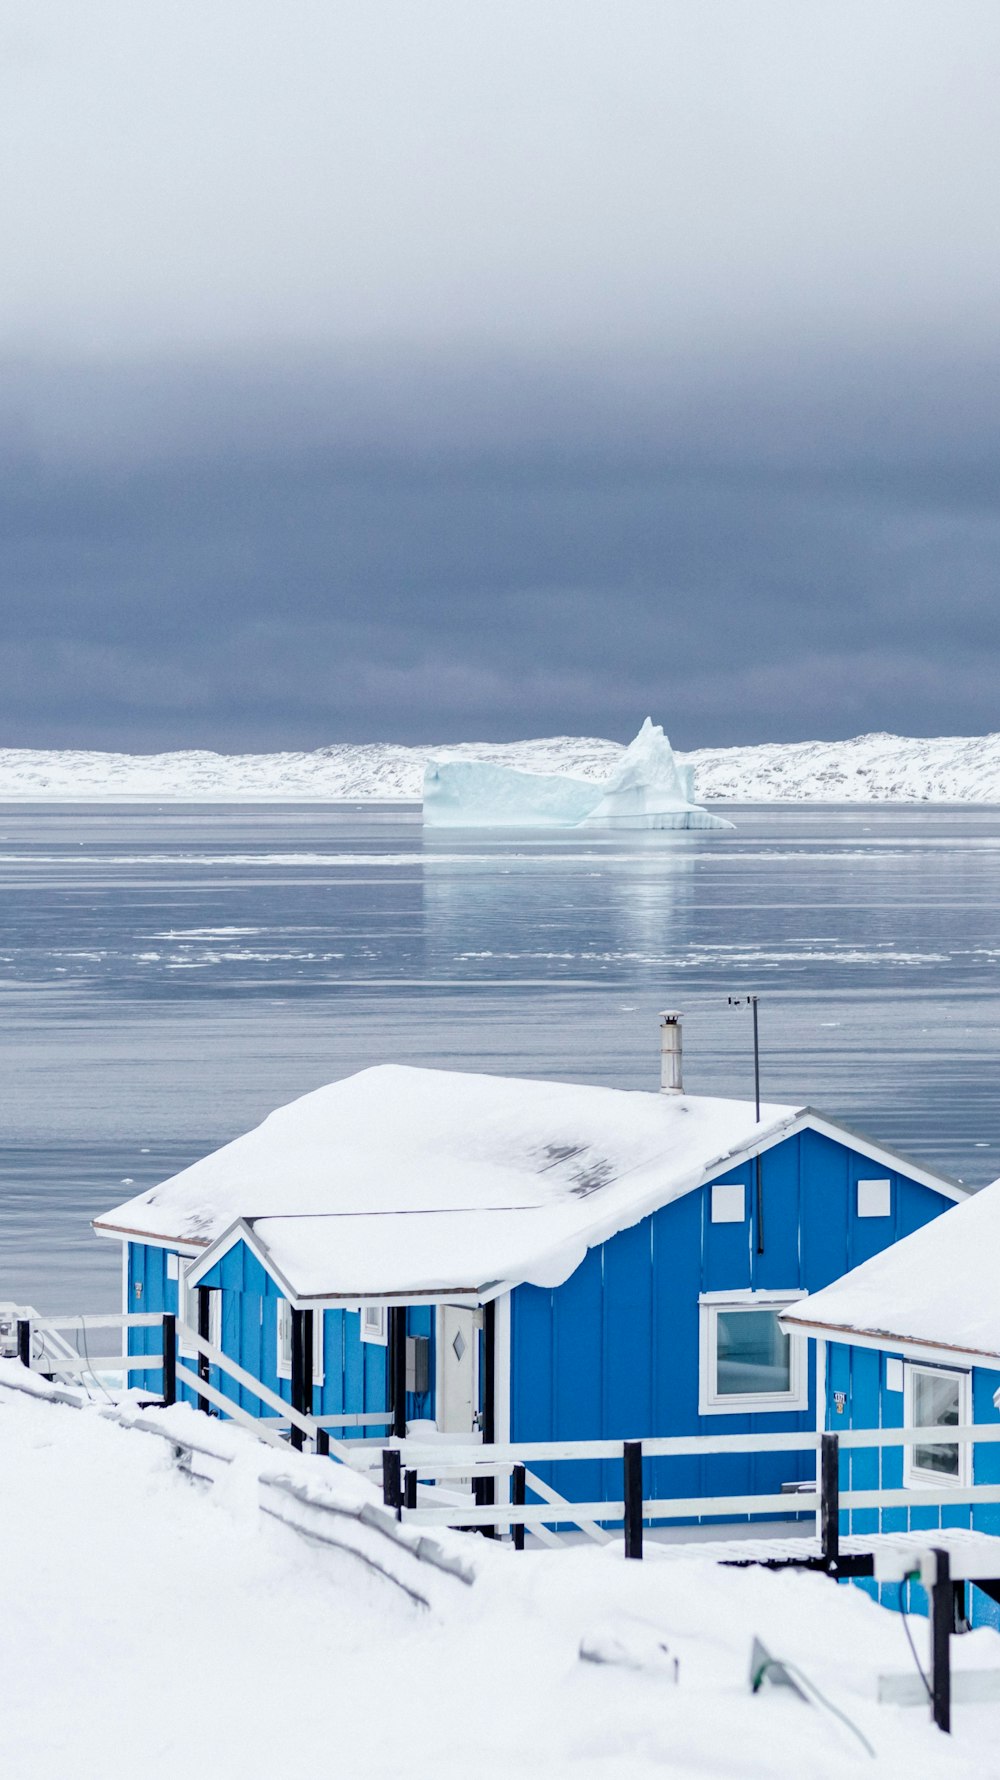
x=403, y=1179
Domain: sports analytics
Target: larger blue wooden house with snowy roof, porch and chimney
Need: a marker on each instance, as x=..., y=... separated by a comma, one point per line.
x=538, y=1261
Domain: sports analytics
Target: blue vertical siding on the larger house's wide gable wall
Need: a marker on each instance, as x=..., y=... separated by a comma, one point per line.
x=615, y=1352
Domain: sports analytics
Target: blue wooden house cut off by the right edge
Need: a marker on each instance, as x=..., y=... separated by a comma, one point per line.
x=912, y=1339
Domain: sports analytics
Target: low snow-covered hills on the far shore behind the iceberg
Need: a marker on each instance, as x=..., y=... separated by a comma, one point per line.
x=866, y=770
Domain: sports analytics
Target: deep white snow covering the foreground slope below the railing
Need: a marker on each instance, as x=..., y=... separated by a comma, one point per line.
x=154, y=1626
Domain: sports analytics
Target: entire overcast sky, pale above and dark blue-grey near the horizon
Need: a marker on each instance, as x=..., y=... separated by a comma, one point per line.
x=449, y=369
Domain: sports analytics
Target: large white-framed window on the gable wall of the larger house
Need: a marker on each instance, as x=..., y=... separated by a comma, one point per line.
x=748, y=1363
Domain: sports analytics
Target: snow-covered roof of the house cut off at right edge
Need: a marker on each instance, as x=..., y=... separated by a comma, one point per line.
x=933, y=1290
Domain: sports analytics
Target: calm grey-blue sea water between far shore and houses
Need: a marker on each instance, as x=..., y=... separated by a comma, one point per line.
x=168, y=976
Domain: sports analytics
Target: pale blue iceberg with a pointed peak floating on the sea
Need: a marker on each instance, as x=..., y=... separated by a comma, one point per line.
x=645, y=791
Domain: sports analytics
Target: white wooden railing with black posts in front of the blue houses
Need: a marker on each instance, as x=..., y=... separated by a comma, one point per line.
x=408, y=1464
